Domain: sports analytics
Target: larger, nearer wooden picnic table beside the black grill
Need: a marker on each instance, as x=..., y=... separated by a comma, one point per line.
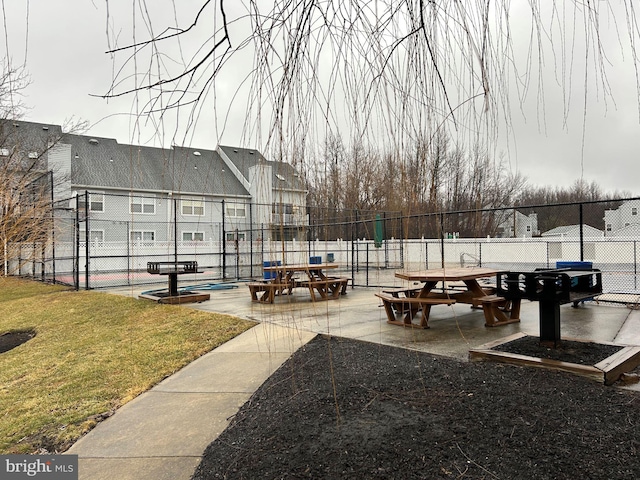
x=459, y=285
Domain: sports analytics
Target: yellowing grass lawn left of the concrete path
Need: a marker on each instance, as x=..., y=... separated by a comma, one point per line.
x=92, y=353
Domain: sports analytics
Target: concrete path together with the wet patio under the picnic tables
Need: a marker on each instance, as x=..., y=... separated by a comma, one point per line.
x=162, y=434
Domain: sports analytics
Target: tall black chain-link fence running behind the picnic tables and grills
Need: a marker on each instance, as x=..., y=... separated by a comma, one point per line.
x=101, y=240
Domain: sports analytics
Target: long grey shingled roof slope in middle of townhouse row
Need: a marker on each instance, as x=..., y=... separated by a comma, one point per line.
x=104, y=163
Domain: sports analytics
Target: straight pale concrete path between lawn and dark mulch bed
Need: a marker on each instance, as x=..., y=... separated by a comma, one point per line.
x=162, y=434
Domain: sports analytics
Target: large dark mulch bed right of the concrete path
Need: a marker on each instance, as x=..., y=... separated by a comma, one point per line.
x=348, y=409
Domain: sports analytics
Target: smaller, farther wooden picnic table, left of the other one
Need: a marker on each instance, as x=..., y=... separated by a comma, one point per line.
x=326, y=287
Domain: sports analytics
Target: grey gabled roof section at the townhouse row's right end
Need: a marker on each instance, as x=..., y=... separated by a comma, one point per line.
x=284, y=176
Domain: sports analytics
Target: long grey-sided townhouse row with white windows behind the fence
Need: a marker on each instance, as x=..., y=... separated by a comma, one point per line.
x=149, y=194
